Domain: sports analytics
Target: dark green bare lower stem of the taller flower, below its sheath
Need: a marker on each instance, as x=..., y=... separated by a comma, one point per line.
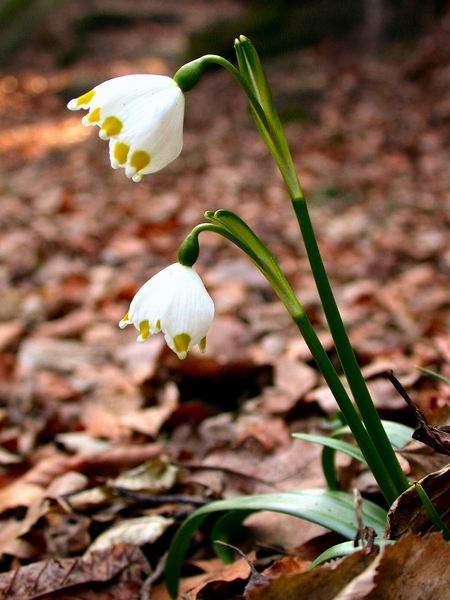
x=344, y=349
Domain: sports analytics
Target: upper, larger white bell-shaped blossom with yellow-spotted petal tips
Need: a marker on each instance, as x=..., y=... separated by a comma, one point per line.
x=142, y=116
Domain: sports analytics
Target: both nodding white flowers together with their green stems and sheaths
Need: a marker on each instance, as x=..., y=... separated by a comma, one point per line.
x=142, y=116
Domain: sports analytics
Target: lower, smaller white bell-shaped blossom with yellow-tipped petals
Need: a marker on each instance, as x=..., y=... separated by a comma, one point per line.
x=175, y=302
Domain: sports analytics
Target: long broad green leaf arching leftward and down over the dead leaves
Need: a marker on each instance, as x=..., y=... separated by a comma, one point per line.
x=333, y=510
